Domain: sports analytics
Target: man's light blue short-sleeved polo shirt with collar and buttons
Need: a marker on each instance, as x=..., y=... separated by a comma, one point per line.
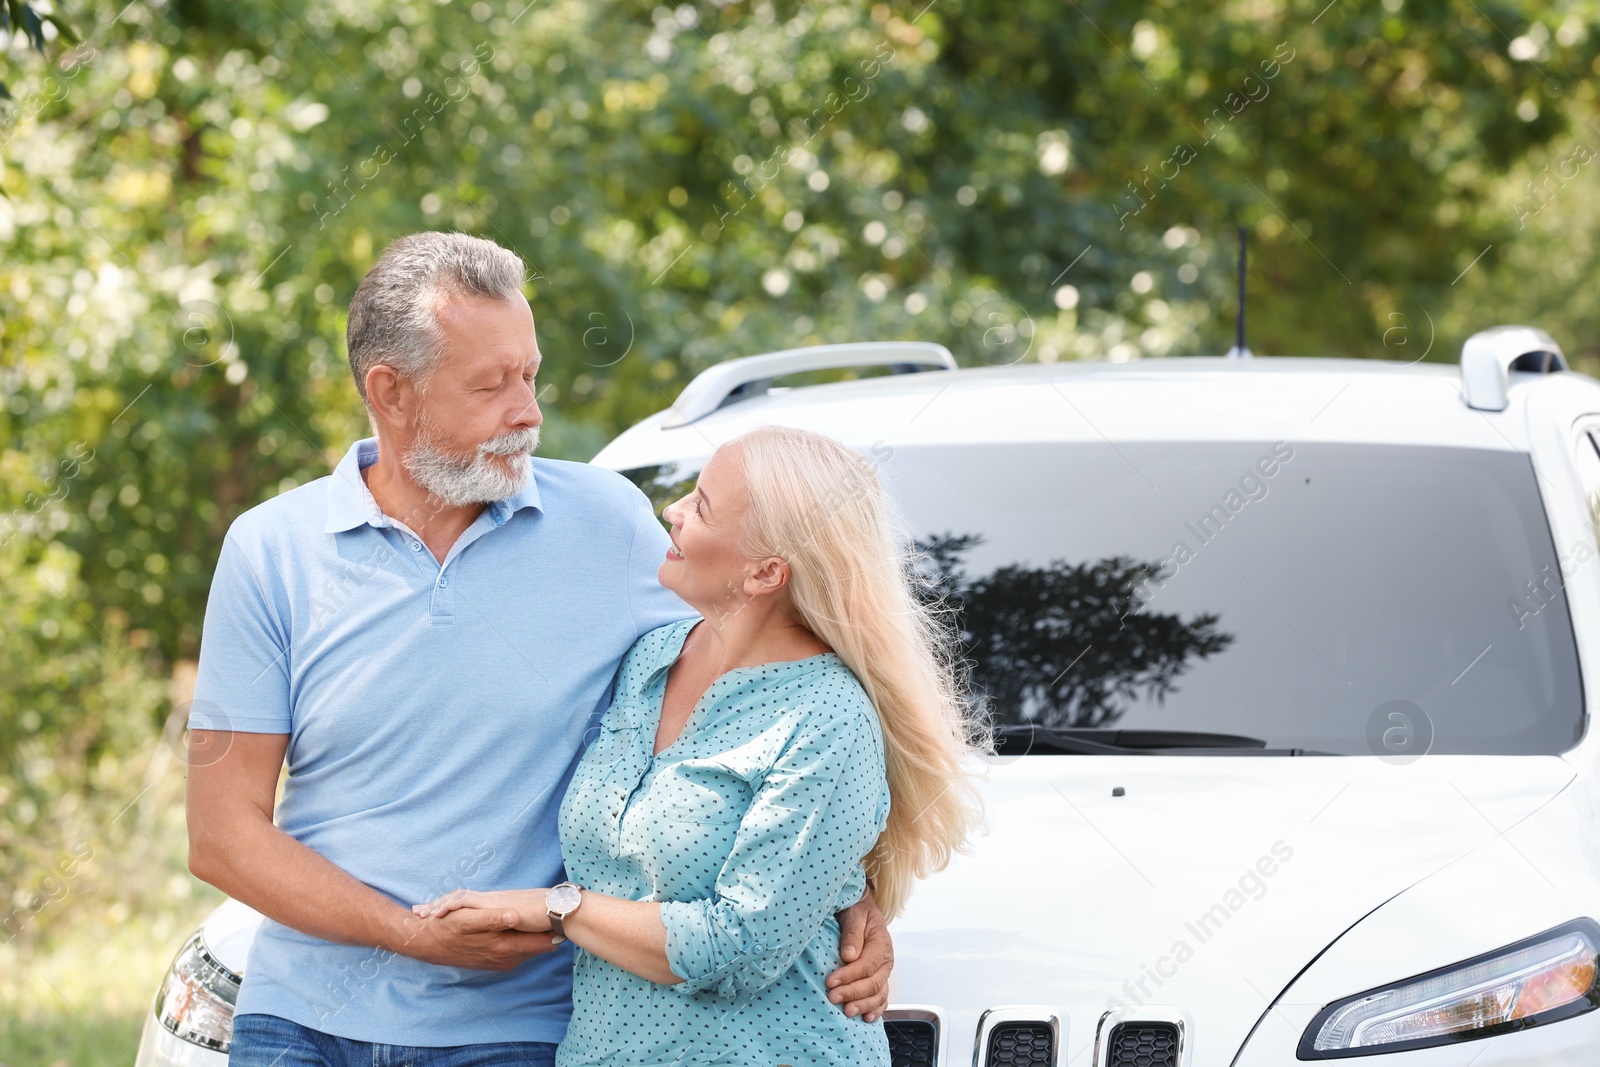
x=436, y=714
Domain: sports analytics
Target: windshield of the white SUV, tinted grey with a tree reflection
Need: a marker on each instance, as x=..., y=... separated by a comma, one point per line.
x=1314, y=597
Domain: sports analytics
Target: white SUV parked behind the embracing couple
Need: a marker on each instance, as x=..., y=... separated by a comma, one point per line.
x=1289, y=658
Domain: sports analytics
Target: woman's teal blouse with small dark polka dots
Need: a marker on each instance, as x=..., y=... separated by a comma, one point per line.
x=750, y=829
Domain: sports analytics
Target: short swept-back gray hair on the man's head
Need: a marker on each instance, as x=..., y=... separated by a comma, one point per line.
x=393, y=316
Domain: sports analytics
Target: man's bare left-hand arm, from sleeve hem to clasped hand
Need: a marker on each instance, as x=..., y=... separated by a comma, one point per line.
x=236, y=847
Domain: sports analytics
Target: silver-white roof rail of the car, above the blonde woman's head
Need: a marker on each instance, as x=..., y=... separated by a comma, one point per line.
x=751, y=377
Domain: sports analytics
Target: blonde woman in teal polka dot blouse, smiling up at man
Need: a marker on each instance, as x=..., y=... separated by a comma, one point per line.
x=758, y=767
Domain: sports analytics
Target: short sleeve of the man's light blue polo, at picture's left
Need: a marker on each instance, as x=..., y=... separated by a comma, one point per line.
x=244, y=674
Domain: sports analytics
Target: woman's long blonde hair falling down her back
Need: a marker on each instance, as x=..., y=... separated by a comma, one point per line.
x=855, y=585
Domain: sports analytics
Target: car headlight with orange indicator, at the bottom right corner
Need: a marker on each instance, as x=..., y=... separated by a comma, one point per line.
x=1540, y=980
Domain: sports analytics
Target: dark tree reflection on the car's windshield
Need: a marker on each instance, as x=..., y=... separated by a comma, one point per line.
x=1065, y=645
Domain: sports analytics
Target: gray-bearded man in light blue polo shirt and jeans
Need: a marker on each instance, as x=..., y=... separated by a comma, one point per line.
x=428, y=637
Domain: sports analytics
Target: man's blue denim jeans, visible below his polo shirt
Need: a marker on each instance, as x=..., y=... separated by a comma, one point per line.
x=274, y=1042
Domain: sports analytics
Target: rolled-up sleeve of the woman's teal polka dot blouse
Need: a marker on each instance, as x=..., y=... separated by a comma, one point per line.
x=794, y=861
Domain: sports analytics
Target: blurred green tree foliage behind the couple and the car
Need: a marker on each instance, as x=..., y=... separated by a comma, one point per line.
x=194, y=190
